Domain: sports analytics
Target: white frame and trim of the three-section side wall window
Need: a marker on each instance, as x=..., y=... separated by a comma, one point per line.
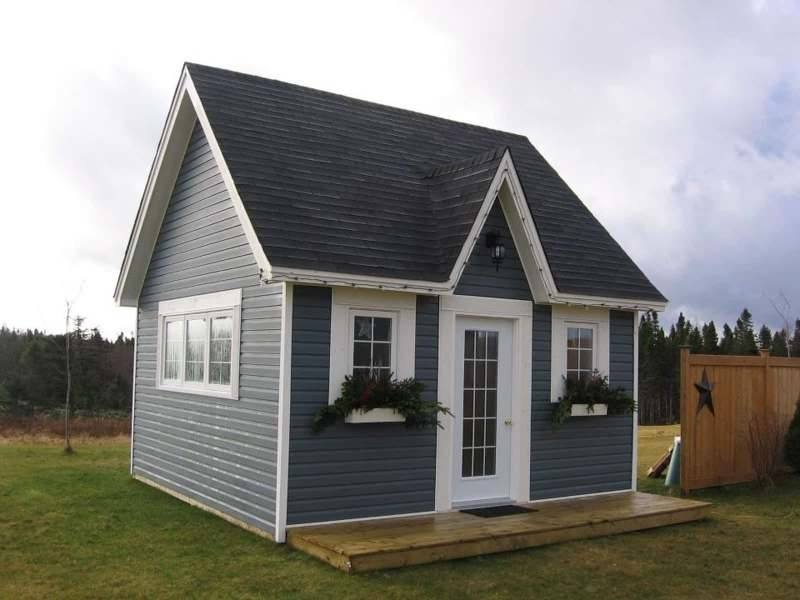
x=227, y=303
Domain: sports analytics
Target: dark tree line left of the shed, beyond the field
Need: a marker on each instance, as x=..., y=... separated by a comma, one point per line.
x=33, y=371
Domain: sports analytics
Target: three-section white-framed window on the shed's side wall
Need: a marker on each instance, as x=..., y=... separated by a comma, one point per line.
x=198, y=353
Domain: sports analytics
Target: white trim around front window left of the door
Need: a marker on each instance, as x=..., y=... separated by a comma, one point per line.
x=347, y=303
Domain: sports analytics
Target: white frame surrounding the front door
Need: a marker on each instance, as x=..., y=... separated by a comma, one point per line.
x=520, y=312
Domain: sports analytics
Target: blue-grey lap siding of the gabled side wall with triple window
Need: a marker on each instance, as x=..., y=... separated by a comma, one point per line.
x=218, y=452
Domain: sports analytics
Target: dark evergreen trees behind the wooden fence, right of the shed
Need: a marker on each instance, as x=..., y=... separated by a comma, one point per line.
x=659, y=355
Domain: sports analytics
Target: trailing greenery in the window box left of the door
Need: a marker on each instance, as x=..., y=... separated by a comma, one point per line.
x=365, y=393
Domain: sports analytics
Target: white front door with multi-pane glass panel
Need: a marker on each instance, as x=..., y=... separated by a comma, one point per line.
x=482, y=410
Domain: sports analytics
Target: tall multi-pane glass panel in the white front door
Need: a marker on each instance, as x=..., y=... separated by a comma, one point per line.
x=479, y=439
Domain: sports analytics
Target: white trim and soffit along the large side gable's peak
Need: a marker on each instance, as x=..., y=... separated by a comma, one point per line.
x=185, y=110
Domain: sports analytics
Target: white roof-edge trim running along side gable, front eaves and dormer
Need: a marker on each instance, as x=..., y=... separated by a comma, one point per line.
x=506, y=186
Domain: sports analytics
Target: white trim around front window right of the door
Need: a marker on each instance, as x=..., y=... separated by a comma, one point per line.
x=564, y=317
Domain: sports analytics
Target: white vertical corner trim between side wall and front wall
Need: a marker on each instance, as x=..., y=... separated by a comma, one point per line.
x=284, y=414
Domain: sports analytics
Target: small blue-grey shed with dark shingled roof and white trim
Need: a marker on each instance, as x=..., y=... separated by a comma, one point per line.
x=288, y=237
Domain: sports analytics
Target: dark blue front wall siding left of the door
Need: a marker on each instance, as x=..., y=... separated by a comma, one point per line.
x=354, y=471
